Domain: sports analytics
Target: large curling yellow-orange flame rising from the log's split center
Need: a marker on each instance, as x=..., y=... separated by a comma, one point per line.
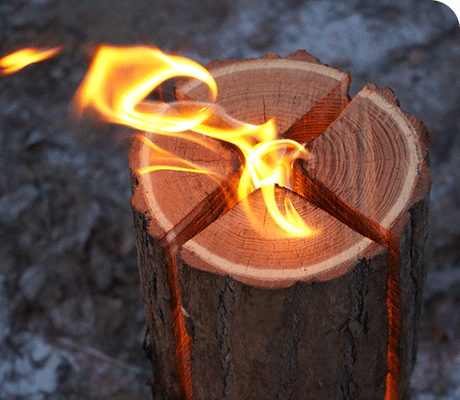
x=117, y=85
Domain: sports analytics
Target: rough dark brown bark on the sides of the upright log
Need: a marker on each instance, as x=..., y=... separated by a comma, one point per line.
x=312, y=340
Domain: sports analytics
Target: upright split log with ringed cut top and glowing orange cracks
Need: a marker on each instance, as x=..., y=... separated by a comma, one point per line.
x=332, y=316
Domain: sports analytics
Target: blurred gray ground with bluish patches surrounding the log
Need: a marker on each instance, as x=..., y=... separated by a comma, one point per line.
x=71, y=319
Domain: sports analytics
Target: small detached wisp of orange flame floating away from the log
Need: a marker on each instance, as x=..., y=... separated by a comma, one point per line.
x=24, y=57
